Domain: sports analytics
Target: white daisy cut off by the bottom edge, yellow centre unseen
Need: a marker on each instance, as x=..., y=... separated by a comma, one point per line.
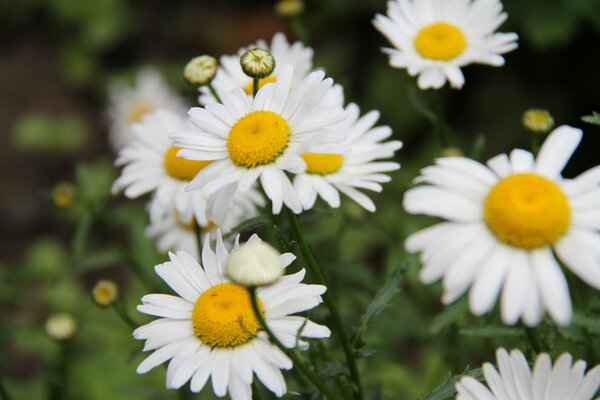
x=514, y=380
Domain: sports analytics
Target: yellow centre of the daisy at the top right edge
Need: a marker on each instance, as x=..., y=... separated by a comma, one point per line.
x=440, y=41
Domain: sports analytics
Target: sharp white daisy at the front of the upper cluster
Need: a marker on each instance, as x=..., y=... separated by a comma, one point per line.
x=259, y=139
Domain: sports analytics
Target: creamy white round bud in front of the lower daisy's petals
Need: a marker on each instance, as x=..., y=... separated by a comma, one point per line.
x=254, y=264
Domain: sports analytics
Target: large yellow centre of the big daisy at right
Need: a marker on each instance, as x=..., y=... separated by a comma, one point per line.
x=527, y=211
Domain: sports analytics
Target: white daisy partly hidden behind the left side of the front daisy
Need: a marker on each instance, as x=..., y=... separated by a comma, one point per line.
x=151, y=165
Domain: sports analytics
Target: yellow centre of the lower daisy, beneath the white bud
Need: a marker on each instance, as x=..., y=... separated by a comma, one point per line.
x=223, y=316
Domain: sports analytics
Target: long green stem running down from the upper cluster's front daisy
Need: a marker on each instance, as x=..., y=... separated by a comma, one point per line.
x=329, y=302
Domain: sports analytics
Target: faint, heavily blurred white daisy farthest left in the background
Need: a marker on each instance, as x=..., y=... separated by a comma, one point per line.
x=129, y=104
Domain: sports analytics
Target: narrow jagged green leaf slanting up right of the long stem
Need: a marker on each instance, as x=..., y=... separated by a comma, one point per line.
x=380, y=302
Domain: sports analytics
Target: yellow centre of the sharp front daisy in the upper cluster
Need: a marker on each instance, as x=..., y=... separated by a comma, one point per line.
x=257, y=138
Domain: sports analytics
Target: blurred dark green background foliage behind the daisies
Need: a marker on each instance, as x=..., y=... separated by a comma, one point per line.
x=57, y=58
